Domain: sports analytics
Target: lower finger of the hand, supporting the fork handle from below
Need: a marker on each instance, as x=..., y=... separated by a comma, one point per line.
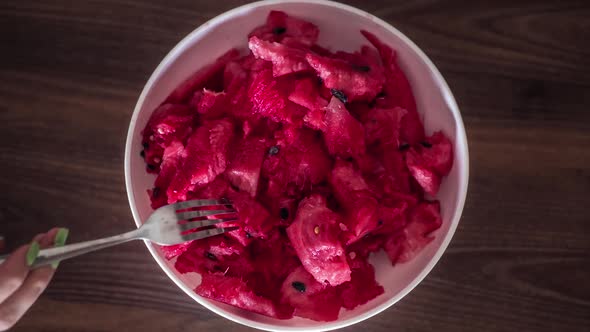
x=17, y=304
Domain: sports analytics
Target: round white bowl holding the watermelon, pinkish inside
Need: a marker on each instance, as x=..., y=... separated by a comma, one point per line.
x=339, y=29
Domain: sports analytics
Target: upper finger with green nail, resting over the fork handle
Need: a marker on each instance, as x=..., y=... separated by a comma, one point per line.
x=14, y=270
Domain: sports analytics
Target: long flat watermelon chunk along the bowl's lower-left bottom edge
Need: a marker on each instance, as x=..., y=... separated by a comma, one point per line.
x=234, y=291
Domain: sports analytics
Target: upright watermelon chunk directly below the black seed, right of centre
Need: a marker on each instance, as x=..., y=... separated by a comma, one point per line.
x=344, y=135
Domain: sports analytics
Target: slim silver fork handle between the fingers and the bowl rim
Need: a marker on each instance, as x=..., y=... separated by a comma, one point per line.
x=48, y=256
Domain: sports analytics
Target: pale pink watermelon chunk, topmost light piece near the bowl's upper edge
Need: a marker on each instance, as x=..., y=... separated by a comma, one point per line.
x=285, y=60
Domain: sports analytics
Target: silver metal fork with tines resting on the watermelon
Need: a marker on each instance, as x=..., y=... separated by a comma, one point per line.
x=168, y=225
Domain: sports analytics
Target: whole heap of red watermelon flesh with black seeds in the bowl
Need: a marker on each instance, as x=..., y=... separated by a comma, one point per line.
x=326, y=162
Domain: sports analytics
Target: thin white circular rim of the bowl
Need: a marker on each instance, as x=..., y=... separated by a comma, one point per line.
x=460, y=141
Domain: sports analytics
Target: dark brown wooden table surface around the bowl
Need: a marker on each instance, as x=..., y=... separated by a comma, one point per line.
x=71, y=72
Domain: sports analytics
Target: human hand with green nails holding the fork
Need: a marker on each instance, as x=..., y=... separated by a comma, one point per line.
x=19, y=285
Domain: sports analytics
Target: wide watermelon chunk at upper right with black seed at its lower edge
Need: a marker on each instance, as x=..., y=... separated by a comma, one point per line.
x=353, y=81
